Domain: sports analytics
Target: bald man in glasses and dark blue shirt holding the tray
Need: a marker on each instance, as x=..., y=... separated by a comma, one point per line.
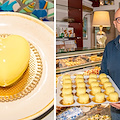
x=111, y=64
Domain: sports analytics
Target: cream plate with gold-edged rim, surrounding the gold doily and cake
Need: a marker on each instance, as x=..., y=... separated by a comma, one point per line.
x=41, y=36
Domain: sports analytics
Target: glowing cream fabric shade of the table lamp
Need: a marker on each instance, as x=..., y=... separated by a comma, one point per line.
x=101, y=18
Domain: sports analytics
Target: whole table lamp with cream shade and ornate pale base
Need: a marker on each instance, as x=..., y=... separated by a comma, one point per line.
x=101, y=19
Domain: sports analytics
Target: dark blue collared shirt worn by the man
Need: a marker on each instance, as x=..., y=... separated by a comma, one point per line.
x=111, y=60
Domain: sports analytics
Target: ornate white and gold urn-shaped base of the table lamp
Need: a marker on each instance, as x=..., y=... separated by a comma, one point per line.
x=101, y=38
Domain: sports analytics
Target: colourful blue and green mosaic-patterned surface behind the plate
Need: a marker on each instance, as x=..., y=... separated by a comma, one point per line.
x=40, y=9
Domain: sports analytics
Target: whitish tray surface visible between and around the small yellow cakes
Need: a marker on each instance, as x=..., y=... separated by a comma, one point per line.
x=59, y=87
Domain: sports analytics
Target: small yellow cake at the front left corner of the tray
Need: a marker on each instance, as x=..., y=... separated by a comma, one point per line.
x=68, y=99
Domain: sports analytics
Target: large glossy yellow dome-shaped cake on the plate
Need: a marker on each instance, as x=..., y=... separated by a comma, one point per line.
x=14, y=59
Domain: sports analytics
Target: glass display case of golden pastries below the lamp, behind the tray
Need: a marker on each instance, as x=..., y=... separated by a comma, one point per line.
x=68, y=61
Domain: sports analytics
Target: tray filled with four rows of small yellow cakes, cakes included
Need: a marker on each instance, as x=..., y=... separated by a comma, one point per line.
x=73, y=90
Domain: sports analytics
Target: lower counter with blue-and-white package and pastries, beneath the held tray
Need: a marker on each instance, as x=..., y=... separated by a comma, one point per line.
x=97, y=112
